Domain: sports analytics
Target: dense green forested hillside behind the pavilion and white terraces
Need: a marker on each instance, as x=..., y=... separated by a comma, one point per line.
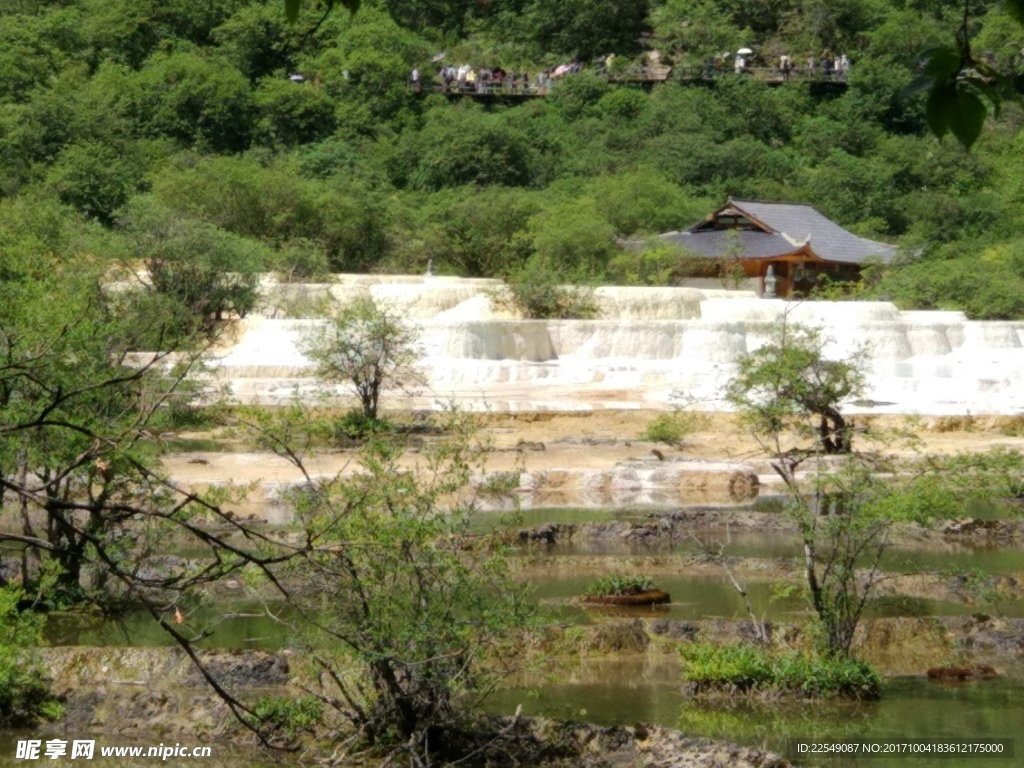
x=136, y=129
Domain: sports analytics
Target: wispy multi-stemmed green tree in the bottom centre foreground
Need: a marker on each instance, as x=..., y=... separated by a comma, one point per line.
x=397, y=591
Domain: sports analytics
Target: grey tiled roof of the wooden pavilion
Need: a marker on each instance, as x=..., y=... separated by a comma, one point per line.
x=786, y=229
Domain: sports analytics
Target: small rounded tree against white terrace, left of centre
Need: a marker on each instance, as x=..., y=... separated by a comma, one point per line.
x=368, y=349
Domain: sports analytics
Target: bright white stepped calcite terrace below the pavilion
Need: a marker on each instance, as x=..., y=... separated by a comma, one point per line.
x=647, y=345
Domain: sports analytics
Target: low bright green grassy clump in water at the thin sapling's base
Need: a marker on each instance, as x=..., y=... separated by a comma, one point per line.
x=749, y=669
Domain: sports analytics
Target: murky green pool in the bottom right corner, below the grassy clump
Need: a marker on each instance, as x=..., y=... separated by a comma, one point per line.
x=911, y=708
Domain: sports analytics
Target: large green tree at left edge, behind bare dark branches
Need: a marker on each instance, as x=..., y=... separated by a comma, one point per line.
x=72, y=418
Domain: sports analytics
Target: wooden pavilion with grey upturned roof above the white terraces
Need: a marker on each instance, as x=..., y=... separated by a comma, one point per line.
x=796, y=242
